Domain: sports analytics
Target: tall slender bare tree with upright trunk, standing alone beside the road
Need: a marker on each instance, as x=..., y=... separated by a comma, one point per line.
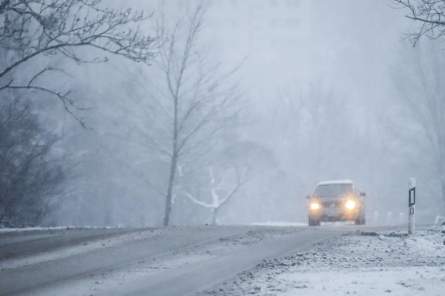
x=189, y=99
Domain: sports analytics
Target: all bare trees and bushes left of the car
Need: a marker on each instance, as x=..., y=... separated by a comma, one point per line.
x=183, y=108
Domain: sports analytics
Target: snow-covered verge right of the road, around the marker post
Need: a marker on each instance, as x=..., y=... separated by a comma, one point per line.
x=365, y=263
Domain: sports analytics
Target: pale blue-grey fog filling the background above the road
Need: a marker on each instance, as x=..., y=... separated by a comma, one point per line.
x=295, y=93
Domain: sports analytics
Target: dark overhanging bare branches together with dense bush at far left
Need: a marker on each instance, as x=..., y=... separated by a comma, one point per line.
x=33, y=34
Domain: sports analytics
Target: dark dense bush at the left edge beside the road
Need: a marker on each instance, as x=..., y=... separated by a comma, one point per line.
x=29, y=175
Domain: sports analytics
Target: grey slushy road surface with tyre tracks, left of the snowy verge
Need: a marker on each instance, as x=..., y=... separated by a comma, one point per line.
x=169, y=261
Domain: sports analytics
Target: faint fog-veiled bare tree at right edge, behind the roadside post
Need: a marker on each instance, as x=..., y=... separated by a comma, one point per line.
x=419, y=81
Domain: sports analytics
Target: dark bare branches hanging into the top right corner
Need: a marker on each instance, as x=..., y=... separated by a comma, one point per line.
x=429, y=13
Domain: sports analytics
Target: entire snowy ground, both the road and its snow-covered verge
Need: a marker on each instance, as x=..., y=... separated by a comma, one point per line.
x=321, y=261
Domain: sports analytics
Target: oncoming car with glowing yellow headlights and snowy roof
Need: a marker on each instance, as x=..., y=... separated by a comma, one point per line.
x=336, y=201
